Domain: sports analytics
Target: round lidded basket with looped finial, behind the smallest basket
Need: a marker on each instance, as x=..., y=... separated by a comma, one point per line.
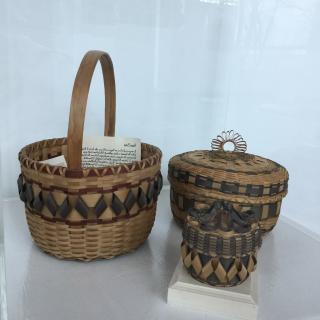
x=249, y=182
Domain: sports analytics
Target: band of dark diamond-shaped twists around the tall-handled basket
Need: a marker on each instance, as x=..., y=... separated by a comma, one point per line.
x=93, y=206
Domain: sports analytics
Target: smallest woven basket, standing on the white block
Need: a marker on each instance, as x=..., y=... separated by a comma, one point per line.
x=219, y=247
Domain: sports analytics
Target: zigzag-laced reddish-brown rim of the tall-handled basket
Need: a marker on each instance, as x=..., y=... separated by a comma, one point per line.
x=27, y=162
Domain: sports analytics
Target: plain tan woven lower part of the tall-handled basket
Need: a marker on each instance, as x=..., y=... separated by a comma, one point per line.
x=91, y=241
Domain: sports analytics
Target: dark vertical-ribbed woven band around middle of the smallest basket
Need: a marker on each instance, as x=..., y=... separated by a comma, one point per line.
x=214, y=245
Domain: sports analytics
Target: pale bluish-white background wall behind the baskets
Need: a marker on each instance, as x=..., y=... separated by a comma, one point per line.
x=185, y=70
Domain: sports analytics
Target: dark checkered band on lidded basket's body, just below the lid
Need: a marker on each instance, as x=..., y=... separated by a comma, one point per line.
x=263, y=211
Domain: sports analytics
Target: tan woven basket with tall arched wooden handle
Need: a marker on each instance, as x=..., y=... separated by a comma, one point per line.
x=89, y=213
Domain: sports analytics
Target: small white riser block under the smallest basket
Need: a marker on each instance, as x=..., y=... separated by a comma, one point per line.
x=234, y=303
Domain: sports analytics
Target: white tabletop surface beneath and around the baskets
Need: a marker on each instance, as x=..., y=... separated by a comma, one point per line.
x=134, y=286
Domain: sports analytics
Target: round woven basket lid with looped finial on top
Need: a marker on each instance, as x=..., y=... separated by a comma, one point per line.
x=234, y=172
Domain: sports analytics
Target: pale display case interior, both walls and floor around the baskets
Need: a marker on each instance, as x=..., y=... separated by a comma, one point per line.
x=185, y=70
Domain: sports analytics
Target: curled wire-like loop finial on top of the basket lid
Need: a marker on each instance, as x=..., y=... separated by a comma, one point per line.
x=229, y=136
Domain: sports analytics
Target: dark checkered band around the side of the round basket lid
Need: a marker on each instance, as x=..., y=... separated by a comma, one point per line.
x=228, y=187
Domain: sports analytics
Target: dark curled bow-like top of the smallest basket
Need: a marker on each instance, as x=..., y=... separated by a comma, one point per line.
x=222, y=215
